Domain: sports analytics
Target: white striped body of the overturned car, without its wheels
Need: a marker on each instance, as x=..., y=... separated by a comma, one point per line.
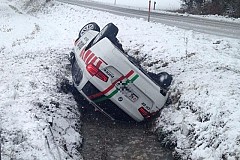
x=127, y=89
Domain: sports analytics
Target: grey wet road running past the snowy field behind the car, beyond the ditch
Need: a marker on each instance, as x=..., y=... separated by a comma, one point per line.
x=203, y=25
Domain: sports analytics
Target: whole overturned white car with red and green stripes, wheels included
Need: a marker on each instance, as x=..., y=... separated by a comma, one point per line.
x=108, y=78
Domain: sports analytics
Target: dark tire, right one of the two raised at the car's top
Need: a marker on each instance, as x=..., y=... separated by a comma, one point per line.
x=110, y=31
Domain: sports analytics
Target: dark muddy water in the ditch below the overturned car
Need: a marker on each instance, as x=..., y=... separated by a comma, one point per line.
x=108, y=140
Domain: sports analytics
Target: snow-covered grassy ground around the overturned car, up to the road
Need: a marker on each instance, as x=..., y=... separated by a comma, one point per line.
x=39, y=121
